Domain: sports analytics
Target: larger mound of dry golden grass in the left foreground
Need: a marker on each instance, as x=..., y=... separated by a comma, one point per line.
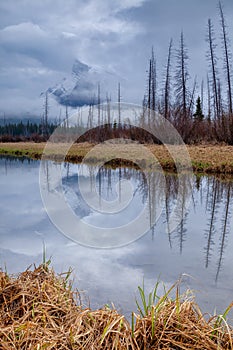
x=38, y=310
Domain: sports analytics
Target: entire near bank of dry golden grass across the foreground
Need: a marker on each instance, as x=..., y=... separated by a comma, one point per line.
x=39, y=310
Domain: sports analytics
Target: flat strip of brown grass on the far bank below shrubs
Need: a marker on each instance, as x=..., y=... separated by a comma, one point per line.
x=205, y=158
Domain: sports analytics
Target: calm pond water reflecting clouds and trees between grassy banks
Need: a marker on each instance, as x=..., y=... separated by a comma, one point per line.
x=201, y=247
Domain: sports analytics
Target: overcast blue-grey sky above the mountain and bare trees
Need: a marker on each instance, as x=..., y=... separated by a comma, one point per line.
x=40, y=41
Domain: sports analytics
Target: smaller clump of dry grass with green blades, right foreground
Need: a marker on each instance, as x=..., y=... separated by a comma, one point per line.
x=181, y=327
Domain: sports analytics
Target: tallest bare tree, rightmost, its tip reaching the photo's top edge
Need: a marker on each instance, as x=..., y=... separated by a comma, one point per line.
x=227, y=65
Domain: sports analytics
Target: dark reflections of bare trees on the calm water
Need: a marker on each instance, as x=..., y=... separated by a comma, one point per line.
x=213, y=194
